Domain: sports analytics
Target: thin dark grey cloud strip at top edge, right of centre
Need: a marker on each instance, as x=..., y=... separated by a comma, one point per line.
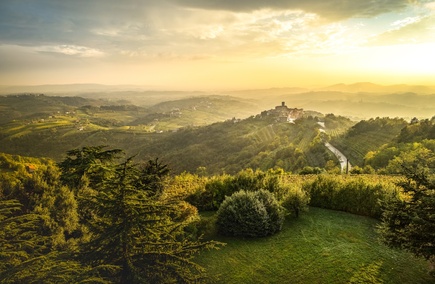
x=329, y=9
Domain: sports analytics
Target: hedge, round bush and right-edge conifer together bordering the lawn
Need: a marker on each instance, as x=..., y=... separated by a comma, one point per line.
x=403, y=203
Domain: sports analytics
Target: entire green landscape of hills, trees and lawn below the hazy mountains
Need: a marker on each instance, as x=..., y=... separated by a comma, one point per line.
x=80, y=176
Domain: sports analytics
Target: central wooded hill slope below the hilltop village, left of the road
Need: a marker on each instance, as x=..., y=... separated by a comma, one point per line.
x=256, y=142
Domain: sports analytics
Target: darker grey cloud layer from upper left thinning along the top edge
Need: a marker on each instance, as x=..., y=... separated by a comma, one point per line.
x=115, y=25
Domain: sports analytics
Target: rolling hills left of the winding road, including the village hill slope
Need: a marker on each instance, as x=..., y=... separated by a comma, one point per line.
x=171, y=131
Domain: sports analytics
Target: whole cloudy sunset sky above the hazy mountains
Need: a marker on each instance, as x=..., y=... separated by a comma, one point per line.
x=217, y=44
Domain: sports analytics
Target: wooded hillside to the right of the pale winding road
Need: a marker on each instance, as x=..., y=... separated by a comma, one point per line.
x=387, y=145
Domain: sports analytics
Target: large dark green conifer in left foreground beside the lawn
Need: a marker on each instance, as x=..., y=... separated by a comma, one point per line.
x=134, y=225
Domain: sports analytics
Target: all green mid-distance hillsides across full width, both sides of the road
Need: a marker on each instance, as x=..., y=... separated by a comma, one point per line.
x=205, y=133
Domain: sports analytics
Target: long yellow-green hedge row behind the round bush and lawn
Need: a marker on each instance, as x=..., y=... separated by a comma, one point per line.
x=357, y=194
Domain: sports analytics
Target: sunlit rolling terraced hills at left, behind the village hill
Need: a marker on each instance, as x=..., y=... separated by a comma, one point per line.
x=39, y=125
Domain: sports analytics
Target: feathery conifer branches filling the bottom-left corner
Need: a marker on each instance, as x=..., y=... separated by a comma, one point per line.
x=26, y=257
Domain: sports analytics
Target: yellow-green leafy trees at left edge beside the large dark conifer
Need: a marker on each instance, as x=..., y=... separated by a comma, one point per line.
x=35, y=184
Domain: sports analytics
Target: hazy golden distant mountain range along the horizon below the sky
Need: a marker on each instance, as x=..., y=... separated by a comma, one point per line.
x=357, y=101
